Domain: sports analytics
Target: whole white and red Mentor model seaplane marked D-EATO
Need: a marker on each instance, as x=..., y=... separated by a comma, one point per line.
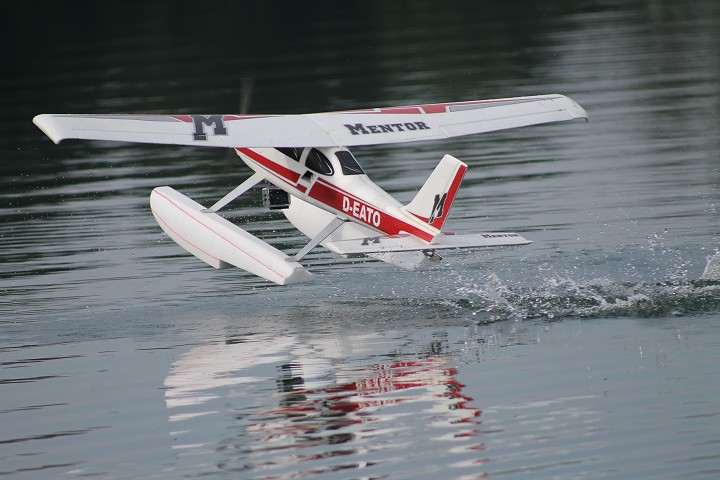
x=317, y=182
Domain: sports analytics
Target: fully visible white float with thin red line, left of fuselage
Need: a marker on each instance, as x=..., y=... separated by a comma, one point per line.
x=220, y=243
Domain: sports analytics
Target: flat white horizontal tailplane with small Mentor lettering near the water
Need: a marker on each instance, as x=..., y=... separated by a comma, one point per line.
x=410, y=243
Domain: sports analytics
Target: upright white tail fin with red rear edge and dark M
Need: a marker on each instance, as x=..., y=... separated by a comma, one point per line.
x=432, y=203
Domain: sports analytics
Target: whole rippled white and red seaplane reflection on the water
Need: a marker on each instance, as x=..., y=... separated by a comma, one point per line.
x=327, y=406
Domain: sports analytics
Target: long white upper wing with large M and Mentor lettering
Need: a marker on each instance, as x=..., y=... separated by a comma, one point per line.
x=346, y=128
